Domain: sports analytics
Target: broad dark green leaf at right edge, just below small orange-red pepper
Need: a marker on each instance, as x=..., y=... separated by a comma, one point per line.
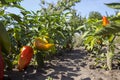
x=110, y=29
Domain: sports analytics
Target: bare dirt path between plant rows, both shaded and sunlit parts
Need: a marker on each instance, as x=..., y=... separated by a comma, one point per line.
x=69, y=66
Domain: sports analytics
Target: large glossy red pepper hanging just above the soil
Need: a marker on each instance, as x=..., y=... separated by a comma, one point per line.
x=25, y=57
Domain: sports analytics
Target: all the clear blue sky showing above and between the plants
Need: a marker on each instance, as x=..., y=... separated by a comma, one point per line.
x=83, y=8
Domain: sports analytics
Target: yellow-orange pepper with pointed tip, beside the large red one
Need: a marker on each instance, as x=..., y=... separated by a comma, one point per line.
x=42, y=45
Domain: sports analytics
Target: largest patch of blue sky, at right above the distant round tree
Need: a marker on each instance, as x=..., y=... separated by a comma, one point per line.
x=86, y=6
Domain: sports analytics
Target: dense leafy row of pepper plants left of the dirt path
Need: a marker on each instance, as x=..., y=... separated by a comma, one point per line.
x=33, y=37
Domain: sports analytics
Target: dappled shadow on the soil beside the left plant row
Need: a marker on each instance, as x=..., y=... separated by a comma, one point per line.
x=64, y=67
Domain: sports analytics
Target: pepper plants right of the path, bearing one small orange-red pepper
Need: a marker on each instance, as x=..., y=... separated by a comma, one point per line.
x=99, y=38
